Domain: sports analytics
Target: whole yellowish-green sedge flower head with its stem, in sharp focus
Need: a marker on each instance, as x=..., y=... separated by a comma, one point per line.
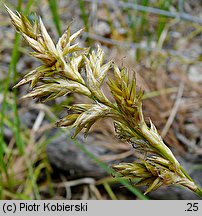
x=68, y=68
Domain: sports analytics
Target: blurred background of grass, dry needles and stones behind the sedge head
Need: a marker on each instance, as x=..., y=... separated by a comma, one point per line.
x=158, y=39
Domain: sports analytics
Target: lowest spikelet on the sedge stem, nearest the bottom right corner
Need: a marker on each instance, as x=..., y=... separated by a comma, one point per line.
x=153, y=172
